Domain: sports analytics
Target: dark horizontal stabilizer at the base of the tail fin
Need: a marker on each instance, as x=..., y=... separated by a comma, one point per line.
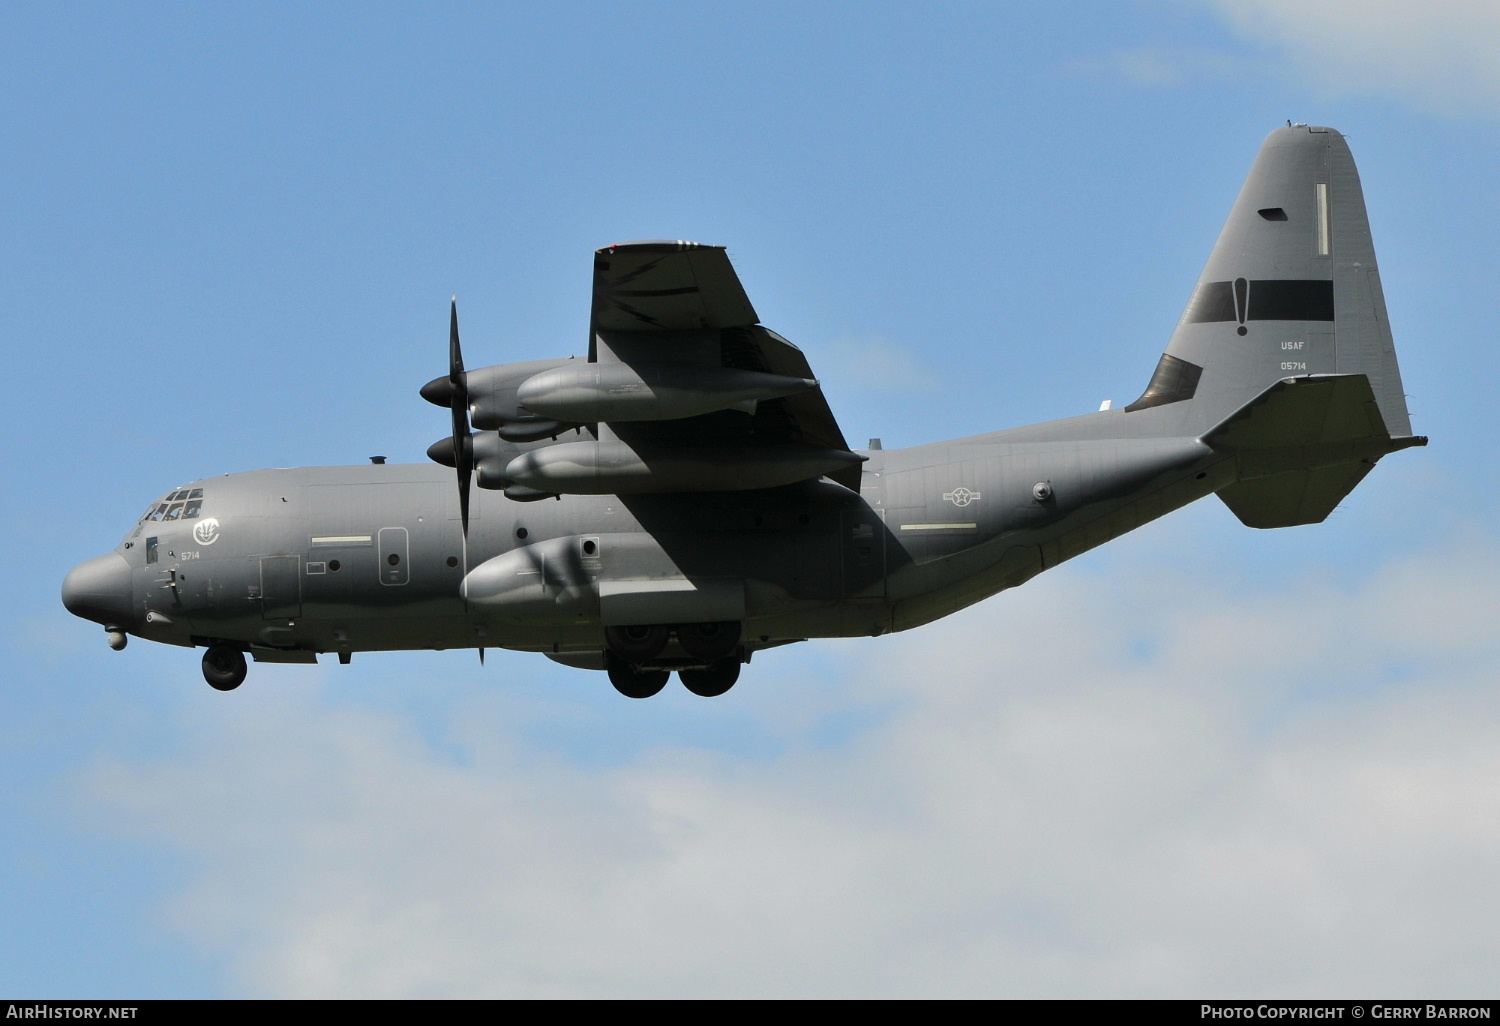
x=1301, y=448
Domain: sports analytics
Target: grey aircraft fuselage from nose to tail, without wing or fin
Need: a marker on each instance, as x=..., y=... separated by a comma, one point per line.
x=362, y=559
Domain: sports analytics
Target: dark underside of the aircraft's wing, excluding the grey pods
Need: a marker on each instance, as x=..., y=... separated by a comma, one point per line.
x=682, y=304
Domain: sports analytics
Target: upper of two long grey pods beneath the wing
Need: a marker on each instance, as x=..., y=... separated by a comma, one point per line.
x=622, y=392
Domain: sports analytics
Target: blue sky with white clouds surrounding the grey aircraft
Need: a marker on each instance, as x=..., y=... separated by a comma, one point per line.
x=1204, y=760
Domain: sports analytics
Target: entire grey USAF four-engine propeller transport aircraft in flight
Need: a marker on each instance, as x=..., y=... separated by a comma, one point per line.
x=683, y=497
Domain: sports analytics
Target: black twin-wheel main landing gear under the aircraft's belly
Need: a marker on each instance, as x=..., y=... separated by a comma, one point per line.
x=638, y=668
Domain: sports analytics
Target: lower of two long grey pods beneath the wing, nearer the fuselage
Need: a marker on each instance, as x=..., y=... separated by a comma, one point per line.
x=611, y=467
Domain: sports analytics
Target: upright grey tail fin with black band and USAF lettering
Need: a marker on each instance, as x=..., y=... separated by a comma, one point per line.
x=1291, y=290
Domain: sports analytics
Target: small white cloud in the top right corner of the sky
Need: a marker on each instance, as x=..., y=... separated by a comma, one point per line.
x=1439, y=53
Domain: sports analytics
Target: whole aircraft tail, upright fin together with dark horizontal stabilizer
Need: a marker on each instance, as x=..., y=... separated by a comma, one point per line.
x=1291, y=292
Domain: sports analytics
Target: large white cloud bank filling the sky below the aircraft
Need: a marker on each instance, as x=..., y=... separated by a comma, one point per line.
x=1295, y=793
